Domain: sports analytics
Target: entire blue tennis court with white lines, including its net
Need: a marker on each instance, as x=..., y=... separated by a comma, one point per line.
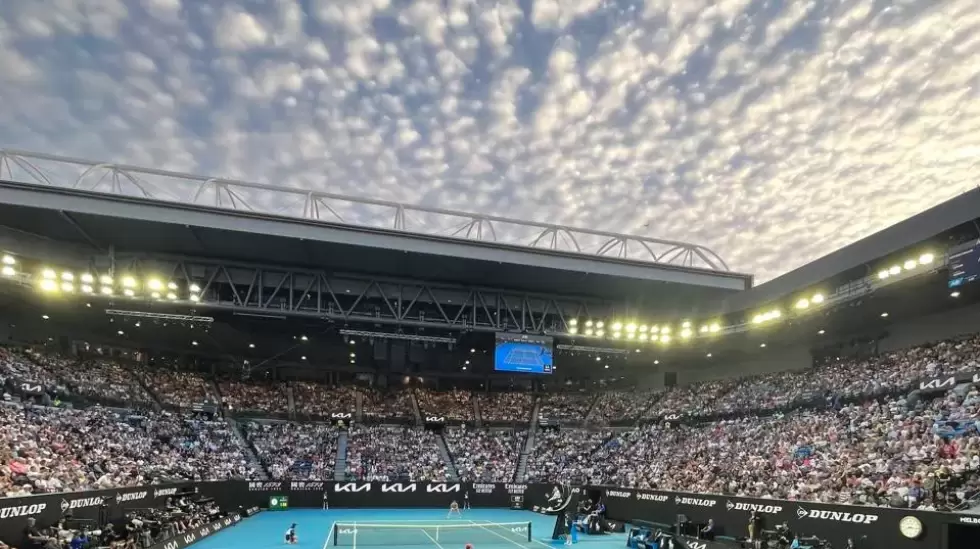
x=423, y=529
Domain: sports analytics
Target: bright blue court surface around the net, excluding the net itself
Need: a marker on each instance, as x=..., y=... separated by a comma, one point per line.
x=314, y=529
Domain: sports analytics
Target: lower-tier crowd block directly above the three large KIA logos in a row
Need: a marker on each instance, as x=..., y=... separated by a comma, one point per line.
x=387, y=453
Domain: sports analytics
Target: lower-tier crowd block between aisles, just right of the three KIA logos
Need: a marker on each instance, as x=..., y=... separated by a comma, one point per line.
x=485, y=455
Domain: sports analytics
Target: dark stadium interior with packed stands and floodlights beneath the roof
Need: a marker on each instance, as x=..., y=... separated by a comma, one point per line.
x=277, y=382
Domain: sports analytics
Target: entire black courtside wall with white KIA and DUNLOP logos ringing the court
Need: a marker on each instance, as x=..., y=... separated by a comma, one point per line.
x=880, y=526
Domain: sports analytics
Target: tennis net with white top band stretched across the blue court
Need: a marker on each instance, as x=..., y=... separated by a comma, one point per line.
x=361, y=533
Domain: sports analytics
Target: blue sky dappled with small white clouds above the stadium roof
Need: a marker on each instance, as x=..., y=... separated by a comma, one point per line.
x=772, y=131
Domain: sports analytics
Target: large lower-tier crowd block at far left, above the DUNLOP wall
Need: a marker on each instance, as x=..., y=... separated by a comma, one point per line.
x=57, y=450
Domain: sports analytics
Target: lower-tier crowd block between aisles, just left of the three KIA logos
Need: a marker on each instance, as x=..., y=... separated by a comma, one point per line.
x=290, y=450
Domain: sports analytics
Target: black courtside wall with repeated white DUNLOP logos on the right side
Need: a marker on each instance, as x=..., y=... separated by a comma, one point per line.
x=878, y=526
